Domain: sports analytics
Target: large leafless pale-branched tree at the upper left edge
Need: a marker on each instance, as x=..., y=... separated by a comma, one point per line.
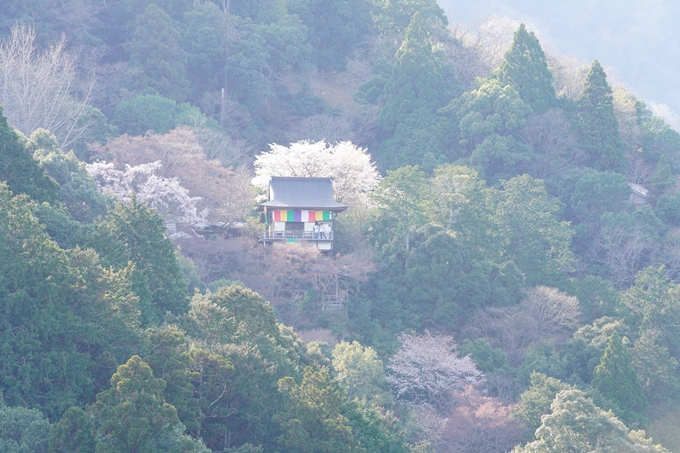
x=38, y=88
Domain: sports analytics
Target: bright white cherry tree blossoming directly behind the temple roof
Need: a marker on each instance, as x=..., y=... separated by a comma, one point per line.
x=354, y=175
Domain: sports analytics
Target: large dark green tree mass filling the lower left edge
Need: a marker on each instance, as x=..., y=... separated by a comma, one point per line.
x=42, y=365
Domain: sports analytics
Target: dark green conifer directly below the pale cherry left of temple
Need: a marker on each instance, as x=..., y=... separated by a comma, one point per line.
x=136, y=234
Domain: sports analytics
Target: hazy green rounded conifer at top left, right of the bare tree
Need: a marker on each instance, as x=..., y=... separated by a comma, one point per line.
x=155, y=48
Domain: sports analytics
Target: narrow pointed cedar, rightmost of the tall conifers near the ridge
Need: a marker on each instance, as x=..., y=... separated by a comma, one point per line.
x=598, y=125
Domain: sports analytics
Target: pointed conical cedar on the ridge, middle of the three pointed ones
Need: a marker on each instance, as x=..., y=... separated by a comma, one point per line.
x=526, y=69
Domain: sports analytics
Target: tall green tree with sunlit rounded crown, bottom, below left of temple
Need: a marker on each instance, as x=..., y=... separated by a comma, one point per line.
x=248, y=353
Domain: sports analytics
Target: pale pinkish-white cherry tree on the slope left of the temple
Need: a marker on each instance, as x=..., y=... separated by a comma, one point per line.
x=142, y=182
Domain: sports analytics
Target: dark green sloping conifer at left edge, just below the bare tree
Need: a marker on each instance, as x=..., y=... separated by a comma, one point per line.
x=21, y=172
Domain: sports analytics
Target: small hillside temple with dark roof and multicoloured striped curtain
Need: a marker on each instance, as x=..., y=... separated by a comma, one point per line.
x=300, y=210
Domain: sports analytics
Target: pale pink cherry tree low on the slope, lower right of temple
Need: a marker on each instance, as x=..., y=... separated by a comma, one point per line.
x=426, y=370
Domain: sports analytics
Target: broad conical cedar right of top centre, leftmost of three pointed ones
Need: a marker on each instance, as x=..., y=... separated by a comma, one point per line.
x=416, y=80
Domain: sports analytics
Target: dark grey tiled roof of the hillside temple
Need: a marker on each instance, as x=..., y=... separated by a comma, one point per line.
x=302, y=193
